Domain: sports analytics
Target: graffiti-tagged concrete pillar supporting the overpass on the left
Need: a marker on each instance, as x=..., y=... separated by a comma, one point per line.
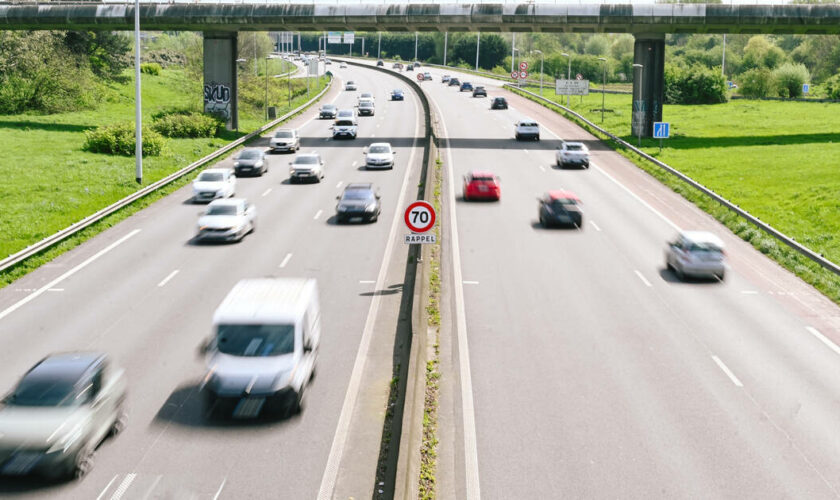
x=220, y=89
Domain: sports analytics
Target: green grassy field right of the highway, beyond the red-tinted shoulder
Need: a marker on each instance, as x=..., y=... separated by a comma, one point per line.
x=777, y=160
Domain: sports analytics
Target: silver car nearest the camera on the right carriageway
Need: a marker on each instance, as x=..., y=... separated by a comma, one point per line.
x=696, y=253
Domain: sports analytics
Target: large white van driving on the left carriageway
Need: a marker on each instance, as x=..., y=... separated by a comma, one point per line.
x=264, y=346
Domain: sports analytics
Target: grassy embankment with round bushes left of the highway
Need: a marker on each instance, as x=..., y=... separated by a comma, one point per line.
x=50, y=183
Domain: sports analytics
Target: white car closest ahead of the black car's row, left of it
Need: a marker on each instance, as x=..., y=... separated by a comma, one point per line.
x=227, y=220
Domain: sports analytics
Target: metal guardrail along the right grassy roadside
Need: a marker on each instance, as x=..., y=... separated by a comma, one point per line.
x=787, y=240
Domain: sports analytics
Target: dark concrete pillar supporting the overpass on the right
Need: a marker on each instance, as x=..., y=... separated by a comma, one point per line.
x=648, y=82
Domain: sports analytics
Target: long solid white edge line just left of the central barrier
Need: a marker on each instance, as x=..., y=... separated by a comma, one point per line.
x=327, y=488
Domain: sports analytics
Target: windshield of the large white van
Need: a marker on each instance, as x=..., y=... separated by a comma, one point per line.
x=256, y=340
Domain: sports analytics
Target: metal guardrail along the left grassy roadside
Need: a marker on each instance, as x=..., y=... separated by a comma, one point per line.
x=69, y=231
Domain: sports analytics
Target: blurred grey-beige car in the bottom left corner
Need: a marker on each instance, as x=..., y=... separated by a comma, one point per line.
x=58, y=414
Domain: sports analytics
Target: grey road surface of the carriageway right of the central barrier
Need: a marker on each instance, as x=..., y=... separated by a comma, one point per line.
x=593, y=372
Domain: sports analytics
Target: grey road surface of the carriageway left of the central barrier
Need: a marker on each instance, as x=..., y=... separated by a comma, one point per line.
x=144, y=293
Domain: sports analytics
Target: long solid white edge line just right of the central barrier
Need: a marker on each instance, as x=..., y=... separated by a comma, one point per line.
x=473, y=488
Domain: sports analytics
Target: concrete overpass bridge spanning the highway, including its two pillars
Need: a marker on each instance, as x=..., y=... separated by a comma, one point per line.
x=221, y=22
